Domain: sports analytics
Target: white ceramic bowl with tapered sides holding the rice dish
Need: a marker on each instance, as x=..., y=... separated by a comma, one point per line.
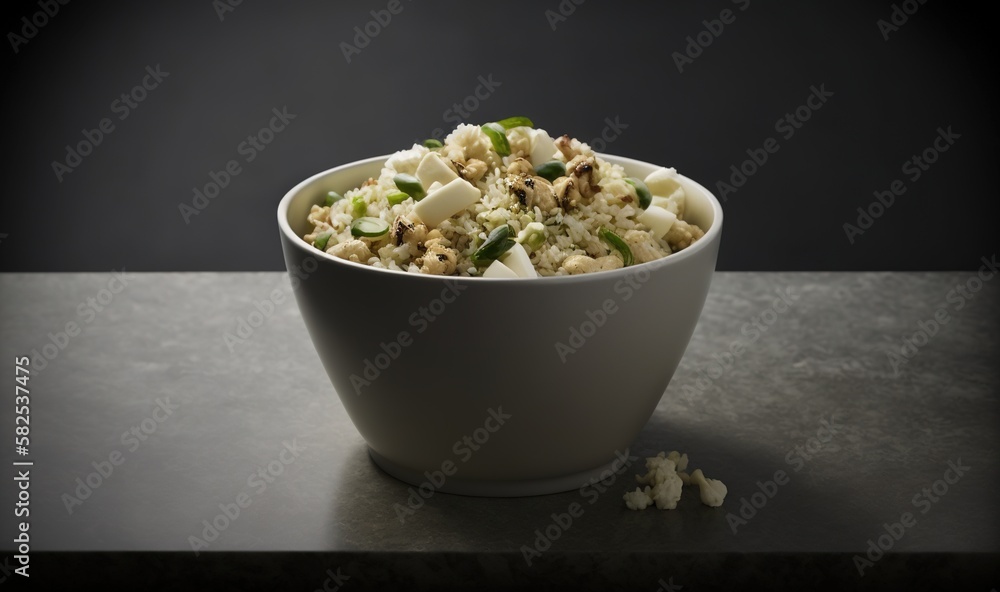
x=458, y=384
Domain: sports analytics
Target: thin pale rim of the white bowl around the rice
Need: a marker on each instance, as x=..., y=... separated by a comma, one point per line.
x=673, y=259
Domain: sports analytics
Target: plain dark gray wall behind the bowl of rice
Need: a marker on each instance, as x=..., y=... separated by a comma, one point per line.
x=606, y=60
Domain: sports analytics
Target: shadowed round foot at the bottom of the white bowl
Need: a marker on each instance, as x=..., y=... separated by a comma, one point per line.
x=456, y=485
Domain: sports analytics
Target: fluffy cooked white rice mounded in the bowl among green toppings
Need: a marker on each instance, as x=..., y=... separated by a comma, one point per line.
x=568, y=231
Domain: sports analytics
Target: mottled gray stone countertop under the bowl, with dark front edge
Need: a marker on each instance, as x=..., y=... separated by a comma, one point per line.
x=849, y=432
